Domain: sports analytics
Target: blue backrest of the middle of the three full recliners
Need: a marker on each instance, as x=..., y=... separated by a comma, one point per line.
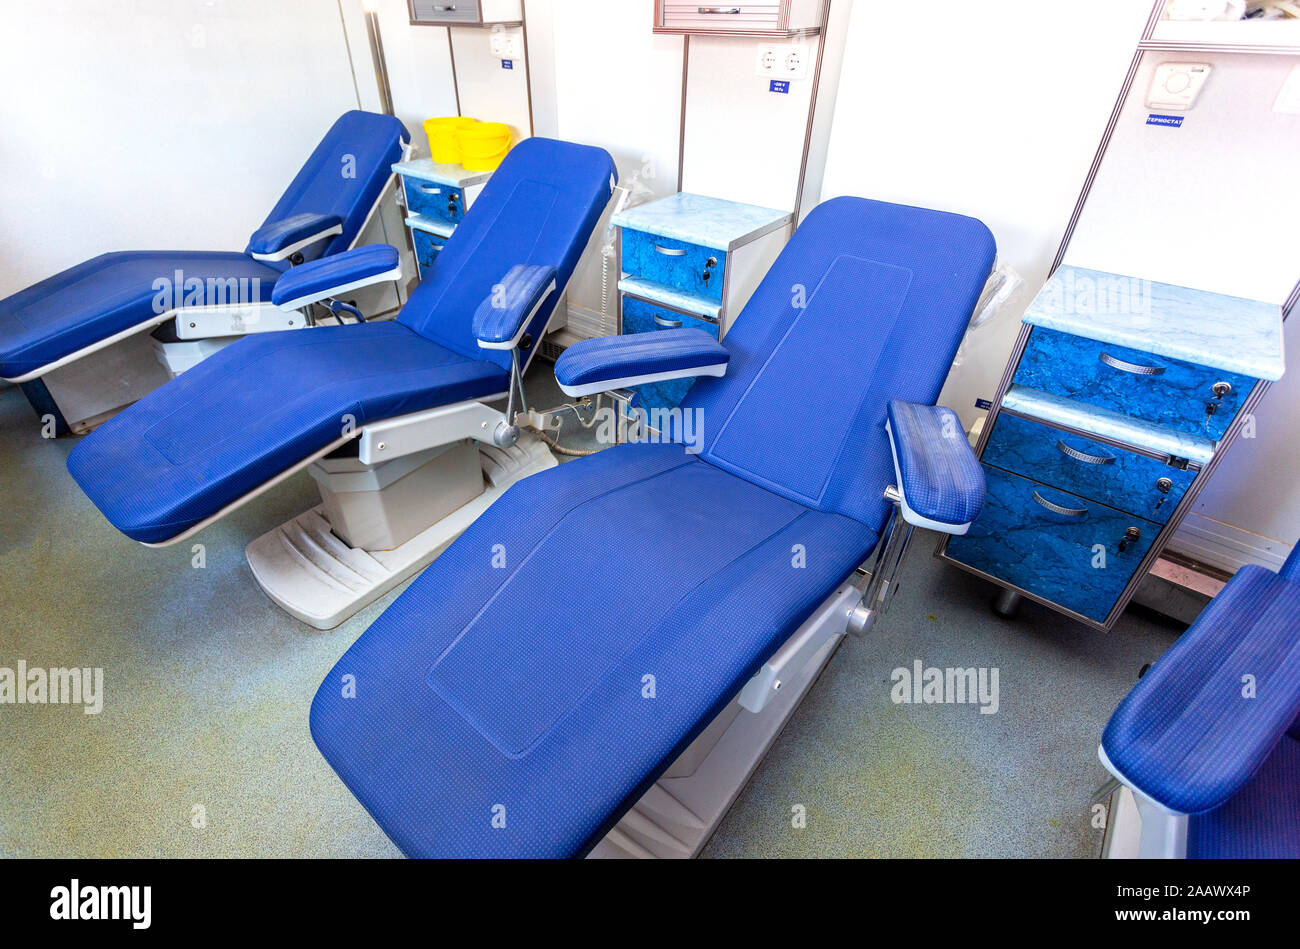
x=540, y=207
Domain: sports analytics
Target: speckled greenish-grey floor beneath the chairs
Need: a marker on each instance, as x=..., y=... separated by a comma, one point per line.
x=207, y=690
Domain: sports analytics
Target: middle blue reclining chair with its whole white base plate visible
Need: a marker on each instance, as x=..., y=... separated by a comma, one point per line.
x=389, y=417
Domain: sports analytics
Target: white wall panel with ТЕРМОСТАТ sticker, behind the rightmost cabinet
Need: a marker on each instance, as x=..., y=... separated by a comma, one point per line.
x=1210, y=206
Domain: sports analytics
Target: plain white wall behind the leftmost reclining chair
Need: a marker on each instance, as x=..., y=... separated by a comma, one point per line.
x=157, y=124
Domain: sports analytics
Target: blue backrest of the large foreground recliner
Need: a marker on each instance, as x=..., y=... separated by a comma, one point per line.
x=868, y=304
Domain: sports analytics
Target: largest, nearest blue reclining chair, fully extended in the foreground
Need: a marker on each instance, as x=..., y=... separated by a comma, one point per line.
x=570, y=675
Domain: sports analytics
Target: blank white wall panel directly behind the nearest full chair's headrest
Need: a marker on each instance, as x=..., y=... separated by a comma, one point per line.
x=957, y=110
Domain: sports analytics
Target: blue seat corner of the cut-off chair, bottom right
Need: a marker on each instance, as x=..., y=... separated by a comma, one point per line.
x=1262, y=822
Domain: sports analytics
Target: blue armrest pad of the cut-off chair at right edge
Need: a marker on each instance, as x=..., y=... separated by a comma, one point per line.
x=1194, y=731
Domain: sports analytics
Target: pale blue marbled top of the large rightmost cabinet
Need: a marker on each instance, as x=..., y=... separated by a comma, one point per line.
x=1220, y=332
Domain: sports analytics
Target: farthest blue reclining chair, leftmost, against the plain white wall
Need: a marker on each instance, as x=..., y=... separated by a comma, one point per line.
x=210, y=296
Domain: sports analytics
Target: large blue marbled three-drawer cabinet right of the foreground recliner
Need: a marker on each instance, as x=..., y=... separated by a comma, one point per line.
x=1120, y=398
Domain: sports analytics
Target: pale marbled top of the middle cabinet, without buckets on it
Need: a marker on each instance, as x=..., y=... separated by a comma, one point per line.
x=707, y=222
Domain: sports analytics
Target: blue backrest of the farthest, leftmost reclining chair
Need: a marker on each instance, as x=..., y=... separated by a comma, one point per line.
x=345, y=175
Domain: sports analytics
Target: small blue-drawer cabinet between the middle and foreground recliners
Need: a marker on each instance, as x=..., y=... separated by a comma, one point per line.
x=692, y=262
